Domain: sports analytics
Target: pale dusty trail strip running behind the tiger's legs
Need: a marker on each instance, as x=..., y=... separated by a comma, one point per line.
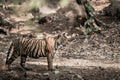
x=77, y=63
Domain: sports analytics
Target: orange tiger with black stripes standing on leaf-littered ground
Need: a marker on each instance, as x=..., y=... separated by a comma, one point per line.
x=35, y=48
